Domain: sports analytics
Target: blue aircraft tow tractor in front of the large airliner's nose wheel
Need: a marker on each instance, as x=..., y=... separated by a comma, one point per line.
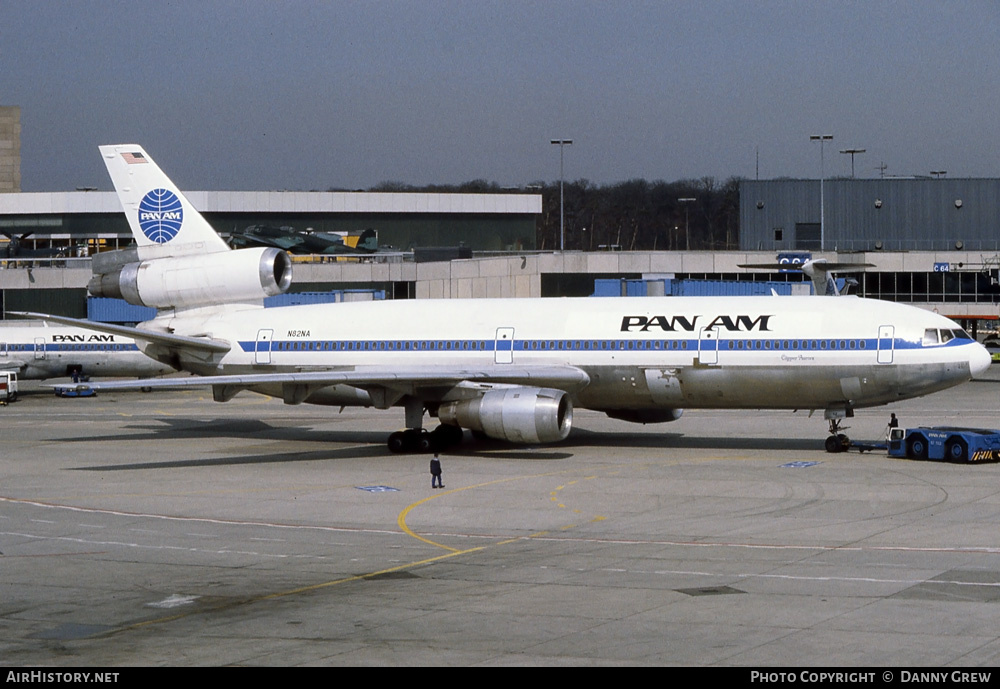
x=944, y=443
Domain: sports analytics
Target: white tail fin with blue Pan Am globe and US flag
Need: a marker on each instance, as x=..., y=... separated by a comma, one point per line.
x=163, y=221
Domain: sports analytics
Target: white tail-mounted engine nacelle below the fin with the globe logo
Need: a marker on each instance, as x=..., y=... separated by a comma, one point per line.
x=216, y=278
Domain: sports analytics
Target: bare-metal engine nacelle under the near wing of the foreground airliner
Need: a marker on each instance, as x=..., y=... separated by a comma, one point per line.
x=516, y=414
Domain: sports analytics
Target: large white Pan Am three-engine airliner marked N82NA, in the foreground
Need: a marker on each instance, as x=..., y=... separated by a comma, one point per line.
x=511, y=369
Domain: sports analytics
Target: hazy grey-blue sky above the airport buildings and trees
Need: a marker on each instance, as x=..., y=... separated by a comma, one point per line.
x=312, y=95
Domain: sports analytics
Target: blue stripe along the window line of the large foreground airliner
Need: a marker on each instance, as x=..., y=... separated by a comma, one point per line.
x=723, y=344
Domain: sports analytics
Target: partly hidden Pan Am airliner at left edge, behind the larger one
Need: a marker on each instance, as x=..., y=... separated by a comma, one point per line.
x=39, y=351
